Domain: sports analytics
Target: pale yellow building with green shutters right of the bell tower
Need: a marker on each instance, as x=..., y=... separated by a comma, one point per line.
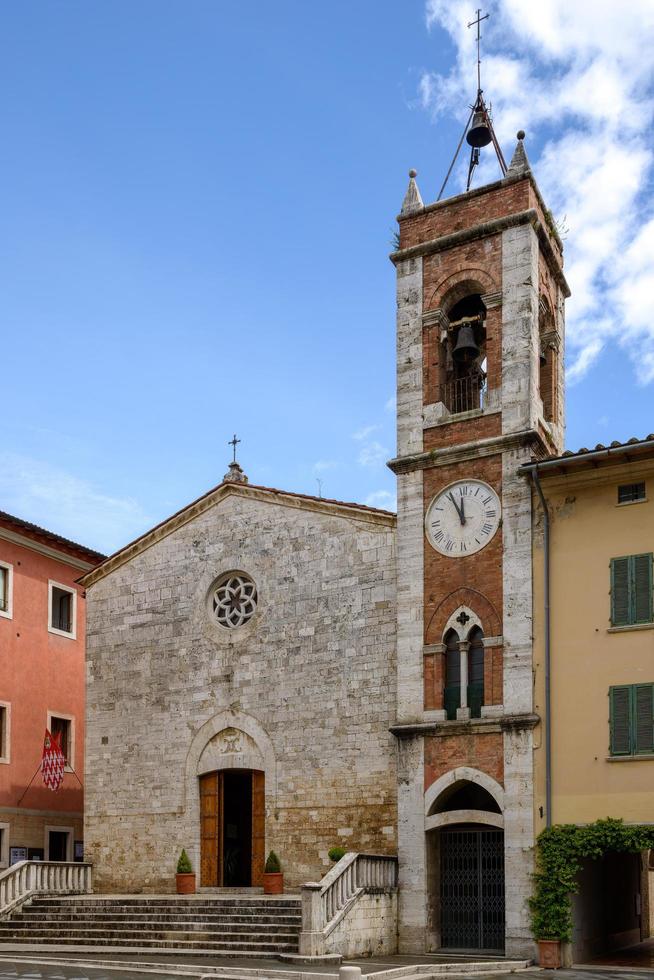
x=592, y=565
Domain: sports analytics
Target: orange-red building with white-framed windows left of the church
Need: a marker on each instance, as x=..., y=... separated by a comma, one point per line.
x=42, y=677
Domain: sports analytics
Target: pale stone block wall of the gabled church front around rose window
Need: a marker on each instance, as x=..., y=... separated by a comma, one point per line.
x=305, y=691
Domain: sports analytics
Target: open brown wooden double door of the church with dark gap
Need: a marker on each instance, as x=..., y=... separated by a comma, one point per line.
x=233, y=828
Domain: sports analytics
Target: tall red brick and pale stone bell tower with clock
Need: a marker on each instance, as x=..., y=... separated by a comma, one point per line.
x=480, y=335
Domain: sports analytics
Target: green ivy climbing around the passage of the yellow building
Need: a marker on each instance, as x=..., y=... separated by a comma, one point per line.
x=560, y=851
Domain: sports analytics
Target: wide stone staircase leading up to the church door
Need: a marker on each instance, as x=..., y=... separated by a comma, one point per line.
x=228, y=926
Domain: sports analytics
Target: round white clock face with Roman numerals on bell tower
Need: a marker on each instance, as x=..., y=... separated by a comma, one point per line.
x=463, y=518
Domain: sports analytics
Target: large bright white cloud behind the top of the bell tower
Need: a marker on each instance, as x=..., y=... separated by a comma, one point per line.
x=579, y=75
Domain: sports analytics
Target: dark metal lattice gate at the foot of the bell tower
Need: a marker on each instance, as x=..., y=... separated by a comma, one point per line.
x=472, y=889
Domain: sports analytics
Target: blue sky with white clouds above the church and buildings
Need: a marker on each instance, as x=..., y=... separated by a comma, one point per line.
x=198, y=205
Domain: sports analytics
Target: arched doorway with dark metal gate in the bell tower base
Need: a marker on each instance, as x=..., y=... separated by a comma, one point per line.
x=465, y=847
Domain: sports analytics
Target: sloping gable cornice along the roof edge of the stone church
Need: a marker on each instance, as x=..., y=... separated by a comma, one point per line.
x=332, y=508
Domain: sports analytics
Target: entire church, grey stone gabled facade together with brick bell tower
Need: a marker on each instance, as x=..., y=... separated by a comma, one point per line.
x=268, y=670
